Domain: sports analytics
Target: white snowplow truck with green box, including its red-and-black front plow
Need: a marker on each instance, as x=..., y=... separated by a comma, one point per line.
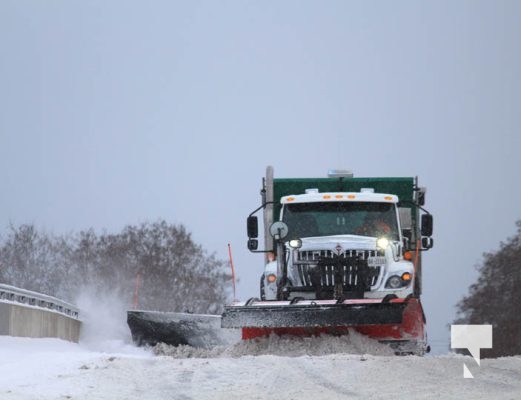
x=341, y=253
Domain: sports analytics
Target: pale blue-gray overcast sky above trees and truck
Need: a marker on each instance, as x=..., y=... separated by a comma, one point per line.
x=119, y=112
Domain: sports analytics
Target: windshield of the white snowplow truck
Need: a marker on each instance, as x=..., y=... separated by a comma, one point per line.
x=341, y=218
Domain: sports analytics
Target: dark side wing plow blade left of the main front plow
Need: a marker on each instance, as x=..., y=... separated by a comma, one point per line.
x=197, y=330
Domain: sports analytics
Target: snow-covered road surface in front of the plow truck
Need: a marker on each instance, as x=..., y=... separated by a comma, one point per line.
x=51, y=369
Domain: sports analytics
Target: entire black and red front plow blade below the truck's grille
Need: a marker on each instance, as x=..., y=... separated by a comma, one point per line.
x=398, y=322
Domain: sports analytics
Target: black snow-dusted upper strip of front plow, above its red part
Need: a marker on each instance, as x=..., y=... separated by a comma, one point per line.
x=312, y=314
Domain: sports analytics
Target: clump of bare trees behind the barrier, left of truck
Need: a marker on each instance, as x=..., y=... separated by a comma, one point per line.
x=174, y=273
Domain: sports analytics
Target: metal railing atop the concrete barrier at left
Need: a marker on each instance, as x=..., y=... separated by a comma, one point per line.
x=35, y=299
